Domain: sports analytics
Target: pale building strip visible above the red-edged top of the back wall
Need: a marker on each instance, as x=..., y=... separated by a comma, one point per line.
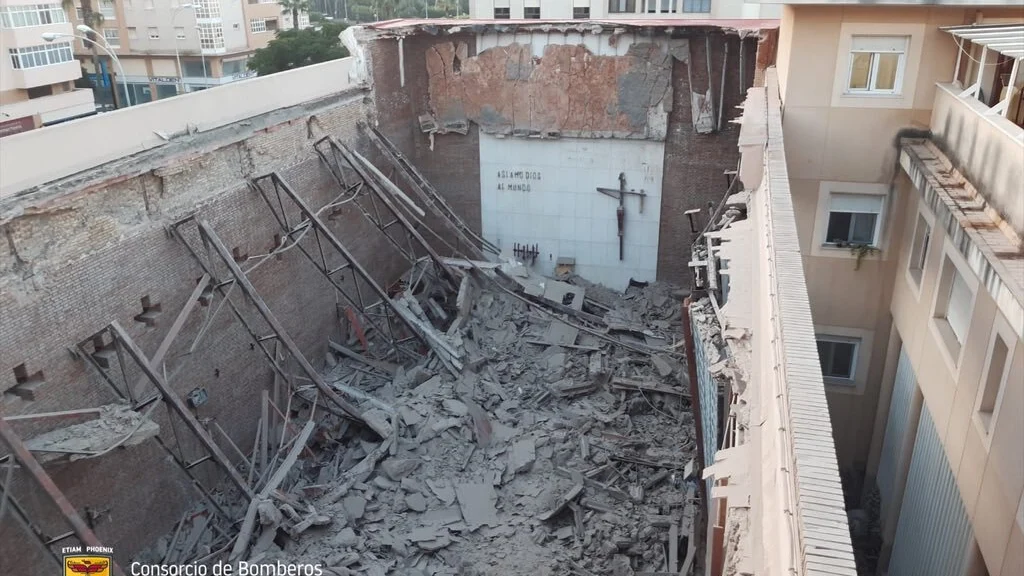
x=619, y=10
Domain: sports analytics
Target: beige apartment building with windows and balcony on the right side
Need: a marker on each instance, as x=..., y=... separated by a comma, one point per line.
x=906, y=155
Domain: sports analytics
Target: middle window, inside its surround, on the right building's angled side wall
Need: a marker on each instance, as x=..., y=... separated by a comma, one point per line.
x=954, y=306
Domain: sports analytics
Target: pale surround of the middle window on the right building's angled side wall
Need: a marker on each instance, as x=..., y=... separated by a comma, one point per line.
x=950, y=347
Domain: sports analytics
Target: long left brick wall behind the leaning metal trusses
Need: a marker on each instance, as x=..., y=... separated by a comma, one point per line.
x=90, y=258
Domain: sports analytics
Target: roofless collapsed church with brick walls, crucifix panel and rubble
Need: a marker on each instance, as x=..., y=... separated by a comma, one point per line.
x=414, y=312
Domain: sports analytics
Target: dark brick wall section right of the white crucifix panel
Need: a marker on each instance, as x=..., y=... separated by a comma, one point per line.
x=695, y=163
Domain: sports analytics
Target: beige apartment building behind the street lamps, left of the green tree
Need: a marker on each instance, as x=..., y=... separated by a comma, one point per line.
x=173, y=47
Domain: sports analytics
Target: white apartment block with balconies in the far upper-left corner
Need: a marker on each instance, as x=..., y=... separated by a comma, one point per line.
x=37, y=78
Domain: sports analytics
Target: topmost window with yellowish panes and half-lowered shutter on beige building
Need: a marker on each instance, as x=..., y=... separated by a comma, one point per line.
x=877, y=64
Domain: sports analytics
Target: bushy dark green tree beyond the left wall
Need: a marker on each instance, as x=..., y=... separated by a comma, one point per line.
x=296, y=49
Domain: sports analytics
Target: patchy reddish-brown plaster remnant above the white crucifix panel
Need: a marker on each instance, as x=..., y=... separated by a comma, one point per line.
x=569, y=92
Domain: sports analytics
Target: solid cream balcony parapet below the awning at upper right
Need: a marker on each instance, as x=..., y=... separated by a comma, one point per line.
x=986, y=147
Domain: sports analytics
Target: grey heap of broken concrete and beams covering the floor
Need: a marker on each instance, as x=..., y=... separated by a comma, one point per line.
x=564, y=445
